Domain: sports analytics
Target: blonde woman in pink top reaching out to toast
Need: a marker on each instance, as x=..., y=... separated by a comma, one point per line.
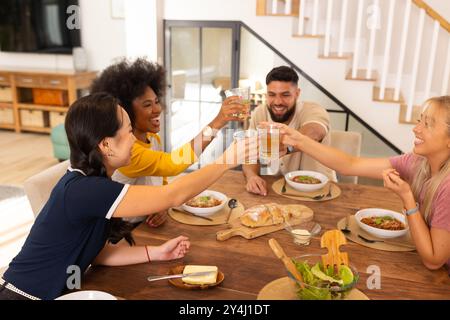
x=421, y=179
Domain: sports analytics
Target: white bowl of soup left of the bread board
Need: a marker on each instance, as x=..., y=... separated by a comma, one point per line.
x=206, y=203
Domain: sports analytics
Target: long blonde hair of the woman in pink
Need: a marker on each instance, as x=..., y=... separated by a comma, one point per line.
x=423, y=171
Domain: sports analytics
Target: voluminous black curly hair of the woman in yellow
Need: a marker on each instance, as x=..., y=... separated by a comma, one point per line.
x=127, y=80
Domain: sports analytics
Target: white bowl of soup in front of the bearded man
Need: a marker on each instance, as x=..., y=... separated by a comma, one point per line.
x=306, y=181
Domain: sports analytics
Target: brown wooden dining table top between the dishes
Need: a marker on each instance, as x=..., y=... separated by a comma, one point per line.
x=249, y=265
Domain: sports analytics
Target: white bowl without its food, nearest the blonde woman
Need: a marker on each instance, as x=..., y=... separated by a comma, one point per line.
x=381, y=233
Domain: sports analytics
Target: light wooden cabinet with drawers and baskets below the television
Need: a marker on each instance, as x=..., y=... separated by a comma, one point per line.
x=39, y=99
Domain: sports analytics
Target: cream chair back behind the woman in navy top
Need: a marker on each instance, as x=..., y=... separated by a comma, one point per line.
x=39, y=186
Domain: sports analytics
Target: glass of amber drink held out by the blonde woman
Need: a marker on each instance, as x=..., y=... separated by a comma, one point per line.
x=269, y=143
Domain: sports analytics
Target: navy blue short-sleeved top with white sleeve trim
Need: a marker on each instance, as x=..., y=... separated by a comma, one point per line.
x=71, y=229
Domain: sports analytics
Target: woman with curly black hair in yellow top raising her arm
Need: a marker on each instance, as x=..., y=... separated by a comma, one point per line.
x=140, y=87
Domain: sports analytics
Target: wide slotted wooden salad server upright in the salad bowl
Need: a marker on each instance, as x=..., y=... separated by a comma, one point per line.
x=332, y=240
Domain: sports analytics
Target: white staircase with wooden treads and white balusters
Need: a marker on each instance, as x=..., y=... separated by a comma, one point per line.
x=389, y=55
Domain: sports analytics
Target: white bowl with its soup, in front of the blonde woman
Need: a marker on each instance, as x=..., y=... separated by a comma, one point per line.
x=382, y=223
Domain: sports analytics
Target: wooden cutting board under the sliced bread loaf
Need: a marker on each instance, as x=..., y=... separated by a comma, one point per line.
x=238, y=229
